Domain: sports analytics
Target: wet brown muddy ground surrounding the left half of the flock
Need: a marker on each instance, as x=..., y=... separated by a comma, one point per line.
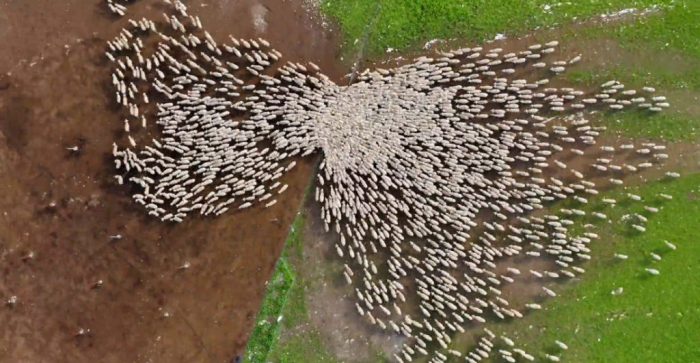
x=95, y=279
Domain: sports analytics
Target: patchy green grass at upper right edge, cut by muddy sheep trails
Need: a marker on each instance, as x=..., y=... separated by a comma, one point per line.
x=665, y=54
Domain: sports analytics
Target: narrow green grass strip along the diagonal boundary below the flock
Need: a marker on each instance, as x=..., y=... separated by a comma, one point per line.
x=267, y=327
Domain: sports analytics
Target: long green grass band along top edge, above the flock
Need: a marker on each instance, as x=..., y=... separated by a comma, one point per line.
x=405, y=25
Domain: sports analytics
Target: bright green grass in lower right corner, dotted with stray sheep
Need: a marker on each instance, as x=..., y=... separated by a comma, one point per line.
x=656, y=319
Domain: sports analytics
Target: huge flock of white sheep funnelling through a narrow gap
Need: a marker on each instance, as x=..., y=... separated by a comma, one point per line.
x=435, y=175
